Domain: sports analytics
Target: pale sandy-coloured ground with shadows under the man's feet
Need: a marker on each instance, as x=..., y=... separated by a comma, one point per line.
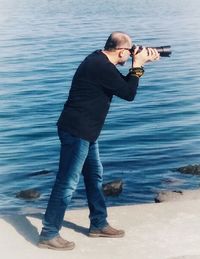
x=159, y=231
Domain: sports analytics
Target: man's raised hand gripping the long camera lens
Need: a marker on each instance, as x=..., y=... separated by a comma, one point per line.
x=145, y=55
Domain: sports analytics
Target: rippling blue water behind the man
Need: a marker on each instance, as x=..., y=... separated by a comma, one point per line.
x=143, y=142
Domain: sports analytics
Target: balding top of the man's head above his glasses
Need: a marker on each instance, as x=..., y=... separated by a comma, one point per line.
x=118, y=40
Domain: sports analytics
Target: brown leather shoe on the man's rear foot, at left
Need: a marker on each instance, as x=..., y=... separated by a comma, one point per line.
x=56, y=243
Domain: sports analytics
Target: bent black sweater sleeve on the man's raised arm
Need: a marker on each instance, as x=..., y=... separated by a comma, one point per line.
x=111, y=79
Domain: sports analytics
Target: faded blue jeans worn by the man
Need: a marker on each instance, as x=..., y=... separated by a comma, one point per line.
x=76, y=156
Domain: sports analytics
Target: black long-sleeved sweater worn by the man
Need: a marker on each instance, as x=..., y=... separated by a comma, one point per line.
x=94, y=83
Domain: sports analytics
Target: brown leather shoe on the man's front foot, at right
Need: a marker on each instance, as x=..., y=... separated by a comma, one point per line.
x=108, y=231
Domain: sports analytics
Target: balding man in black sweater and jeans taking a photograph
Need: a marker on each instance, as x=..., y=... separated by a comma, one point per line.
x=93, y=86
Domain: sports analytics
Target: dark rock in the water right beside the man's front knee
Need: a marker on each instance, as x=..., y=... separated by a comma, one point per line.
x=113, y=188
